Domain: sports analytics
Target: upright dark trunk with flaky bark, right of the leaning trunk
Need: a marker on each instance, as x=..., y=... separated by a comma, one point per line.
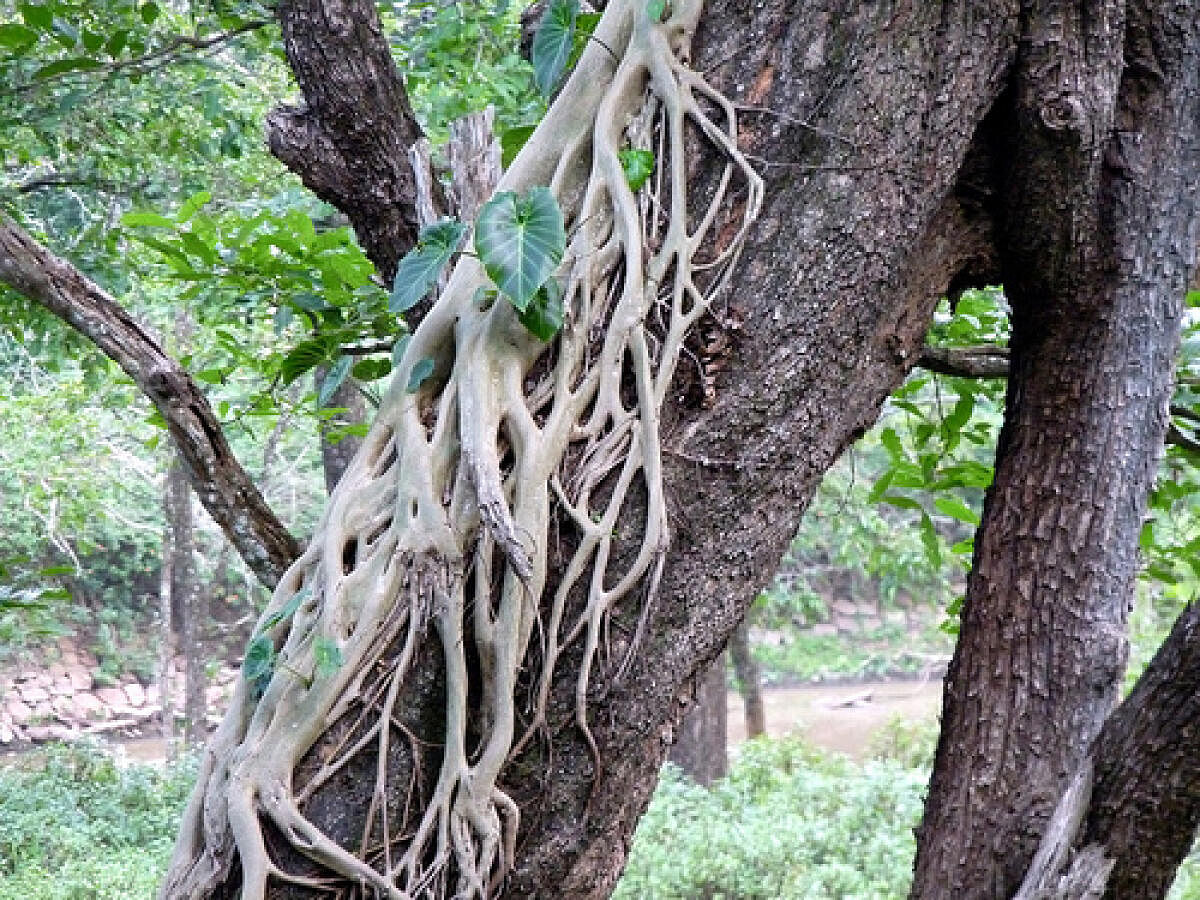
x=1096, y=291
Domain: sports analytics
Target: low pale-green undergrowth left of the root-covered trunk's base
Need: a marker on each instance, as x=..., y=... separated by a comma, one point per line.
x=79, y=826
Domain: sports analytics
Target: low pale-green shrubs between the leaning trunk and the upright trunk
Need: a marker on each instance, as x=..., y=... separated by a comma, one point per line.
x=788, y=823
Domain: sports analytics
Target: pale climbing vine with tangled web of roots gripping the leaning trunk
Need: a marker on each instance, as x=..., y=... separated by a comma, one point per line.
x=440, y=530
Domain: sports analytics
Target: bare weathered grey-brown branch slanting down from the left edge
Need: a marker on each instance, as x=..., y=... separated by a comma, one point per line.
x=219, y=479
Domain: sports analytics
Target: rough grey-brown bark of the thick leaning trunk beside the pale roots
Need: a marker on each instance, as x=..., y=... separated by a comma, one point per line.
x=861, y=119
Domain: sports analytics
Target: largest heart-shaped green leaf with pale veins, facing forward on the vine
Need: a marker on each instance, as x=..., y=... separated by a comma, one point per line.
x=521, y=242
